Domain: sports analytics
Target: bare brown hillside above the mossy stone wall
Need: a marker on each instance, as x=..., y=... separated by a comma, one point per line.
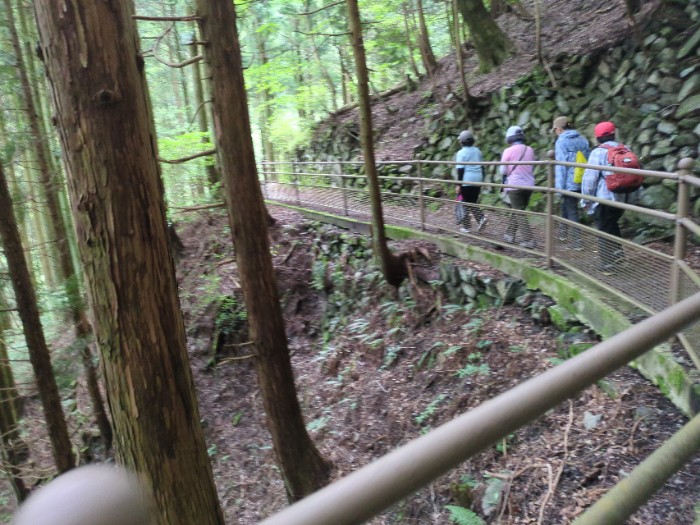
x=569, y=27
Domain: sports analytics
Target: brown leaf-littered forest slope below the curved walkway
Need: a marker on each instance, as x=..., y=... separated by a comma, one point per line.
x=375, y=384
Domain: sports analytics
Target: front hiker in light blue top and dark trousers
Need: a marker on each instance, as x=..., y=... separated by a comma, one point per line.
x=470, y=173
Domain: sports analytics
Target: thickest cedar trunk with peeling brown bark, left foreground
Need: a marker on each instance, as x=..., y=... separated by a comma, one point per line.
x=109, y=144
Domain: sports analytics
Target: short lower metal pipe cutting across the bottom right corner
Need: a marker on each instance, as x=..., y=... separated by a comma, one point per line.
x=632, y=492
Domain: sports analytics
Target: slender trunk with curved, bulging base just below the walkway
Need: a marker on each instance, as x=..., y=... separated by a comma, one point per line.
x=392, y=267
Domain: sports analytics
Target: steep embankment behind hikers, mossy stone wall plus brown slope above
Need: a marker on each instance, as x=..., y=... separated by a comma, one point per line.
x=646, y=80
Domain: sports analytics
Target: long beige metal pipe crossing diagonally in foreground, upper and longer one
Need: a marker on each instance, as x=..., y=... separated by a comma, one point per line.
x=366, y=492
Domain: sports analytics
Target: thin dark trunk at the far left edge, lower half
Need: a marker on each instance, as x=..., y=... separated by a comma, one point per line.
x=13, y=446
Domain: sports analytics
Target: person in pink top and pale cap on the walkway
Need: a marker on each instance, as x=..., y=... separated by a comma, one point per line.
x=521, y=175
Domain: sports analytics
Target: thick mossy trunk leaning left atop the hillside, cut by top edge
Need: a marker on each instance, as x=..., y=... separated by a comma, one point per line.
x=491, y=44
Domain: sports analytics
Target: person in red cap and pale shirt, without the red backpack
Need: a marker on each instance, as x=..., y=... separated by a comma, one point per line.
x=594, y=183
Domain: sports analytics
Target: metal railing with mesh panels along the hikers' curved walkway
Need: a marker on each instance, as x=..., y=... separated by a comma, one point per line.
x=651, y=276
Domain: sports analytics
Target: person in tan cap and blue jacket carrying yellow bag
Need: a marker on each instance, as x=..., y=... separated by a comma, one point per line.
x=567, y=147
